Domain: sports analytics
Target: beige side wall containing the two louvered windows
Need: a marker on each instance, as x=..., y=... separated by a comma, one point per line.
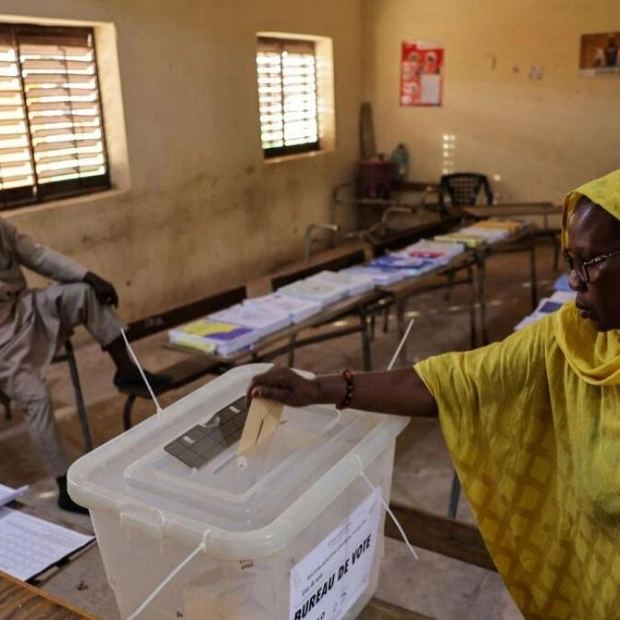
x=203, y=211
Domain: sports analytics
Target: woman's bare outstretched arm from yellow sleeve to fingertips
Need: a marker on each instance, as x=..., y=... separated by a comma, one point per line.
x=399, y=391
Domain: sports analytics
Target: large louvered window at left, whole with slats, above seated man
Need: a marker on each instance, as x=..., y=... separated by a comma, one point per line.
x=51, y=128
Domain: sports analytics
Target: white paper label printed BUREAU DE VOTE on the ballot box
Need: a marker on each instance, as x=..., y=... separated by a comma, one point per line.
x=328, y=581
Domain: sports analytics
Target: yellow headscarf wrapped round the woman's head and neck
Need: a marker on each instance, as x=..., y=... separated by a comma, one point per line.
x=595, y=357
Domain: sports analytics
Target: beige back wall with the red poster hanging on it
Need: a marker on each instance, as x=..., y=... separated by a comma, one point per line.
x=541, y=137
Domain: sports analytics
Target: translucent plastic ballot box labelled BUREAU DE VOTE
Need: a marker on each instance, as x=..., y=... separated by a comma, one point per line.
x=291, y=530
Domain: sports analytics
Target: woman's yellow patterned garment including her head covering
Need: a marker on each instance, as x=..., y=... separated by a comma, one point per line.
x=533, y=426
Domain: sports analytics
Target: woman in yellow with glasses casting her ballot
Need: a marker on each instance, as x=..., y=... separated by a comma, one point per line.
x=532, y=424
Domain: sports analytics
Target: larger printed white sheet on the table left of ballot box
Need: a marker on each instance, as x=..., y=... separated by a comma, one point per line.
x=29, y=545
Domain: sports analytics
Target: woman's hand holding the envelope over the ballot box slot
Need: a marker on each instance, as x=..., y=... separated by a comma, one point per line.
x=285, y=386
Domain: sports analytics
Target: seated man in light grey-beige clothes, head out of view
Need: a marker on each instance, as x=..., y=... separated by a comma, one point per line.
x=34, y=323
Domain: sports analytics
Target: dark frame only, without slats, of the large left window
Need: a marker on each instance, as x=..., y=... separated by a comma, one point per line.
x=23, y=34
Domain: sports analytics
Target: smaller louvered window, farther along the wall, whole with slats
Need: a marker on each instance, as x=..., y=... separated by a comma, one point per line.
x=287, y=94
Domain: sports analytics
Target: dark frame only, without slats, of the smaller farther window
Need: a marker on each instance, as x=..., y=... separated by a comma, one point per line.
x=283, y=44
